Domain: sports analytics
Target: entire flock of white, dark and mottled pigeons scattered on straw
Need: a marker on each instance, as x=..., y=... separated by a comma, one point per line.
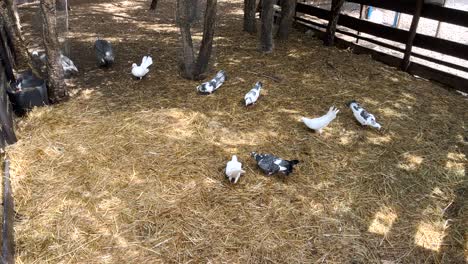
x=267, y=163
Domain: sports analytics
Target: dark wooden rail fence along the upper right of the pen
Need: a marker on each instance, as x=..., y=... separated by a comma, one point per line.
x=409, y=38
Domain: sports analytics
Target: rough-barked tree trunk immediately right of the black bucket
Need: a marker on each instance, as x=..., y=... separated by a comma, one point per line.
x=57, y=88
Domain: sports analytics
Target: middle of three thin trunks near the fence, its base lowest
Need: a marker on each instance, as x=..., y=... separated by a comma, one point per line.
x=266, y=38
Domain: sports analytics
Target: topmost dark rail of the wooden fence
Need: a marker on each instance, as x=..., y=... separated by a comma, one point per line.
x=444, y=14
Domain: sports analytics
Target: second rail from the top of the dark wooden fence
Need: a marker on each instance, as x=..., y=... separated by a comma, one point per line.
x=394, y=34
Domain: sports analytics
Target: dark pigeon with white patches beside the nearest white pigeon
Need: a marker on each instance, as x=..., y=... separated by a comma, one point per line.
x=271, y=164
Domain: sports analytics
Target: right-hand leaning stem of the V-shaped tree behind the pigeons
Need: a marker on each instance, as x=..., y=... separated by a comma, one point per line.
x=207, y=40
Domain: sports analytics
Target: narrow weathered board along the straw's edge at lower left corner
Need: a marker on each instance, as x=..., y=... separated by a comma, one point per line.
x=8, y=248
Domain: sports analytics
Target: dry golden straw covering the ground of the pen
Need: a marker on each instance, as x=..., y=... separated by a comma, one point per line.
x=132, y=171
